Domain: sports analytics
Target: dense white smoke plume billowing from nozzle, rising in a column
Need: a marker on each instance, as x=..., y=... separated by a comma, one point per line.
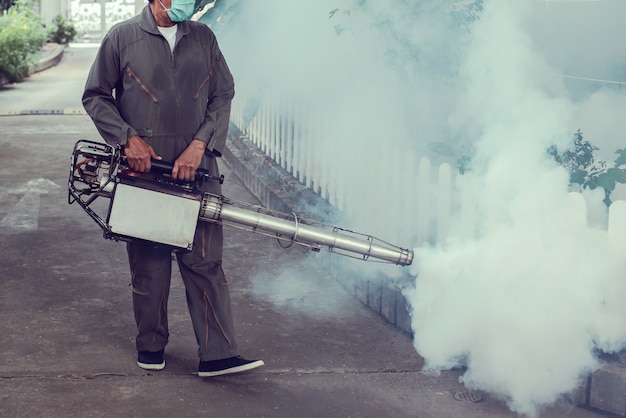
x=524, y=305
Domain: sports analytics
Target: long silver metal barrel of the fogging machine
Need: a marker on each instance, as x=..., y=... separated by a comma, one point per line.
x=214, y=208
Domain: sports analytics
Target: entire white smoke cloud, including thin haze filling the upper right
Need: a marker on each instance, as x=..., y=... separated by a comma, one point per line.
x=524, y=305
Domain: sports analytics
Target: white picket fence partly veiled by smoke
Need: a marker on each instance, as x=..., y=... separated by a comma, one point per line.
x=436, y=200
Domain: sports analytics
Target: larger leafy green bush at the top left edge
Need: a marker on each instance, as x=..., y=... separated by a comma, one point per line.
x=21, y=37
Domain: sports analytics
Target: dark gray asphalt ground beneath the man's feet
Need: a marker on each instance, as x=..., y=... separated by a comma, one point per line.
x=67, y=332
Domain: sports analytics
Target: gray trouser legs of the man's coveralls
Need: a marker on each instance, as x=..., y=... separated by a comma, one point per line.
x=208, y=296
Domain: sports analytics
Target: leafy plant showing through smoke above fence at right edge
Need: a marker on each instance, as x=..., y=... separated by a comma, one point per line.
x=585, y=171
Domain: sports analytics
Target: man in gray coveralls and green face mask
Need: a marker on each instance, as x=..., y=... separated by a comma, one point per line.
x=160, y=87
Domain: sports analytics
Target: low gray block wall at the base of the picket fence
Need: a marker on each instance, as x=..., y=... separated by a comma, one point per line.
x=604, y=390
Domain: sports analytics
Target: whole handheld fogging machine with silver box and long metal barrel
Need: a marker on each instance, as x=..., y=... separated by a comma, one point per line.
x=157, y=209
